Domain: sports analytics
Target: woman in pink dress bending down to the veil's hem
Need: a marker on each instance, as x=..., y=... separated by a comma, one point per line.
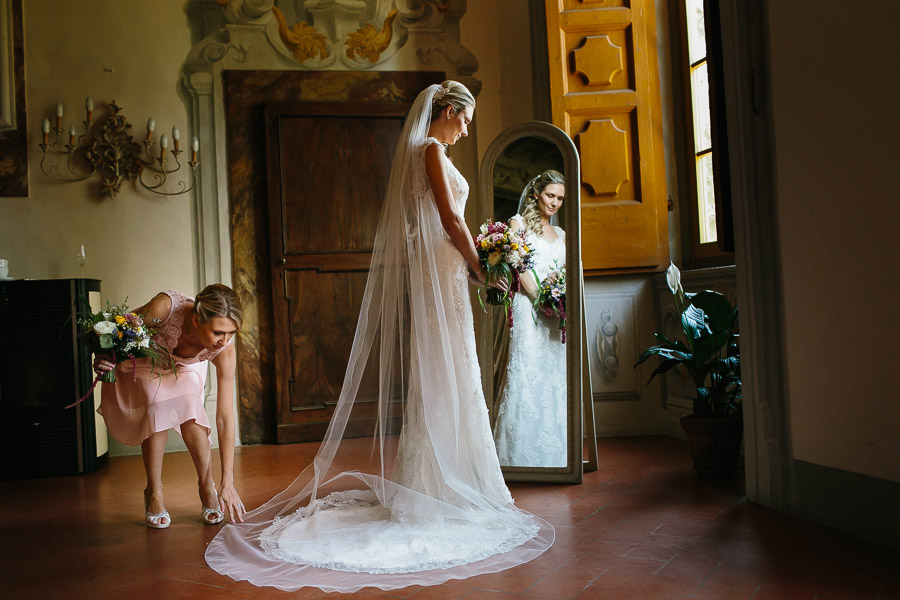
x=147, y=400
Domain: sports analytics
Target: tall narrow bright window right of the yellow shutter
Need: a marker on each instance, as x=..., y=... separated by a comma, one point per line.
x=707, y=198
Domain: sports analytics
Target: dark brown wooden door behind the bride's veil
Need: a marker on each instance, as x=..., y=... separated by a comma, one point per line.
x=328, y=168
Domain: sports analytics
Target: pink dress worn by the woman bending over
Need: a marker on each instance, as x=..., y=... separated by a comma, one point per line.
x=145, y=400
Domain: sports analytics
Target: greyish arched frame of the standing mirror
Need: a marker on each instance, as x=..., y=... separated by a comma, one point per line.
x=580, y=407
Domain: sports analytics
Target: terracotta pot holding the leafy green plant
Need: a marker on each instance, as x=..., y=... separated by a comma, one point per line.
x=715, y=443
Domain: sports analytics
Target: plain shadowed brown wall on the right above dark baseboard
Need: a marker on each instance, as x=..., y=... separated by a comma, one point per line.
x=836, y=132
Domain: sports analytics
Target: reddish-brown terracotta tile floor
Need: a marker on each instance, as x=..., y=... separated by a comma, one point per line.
x=642, y=528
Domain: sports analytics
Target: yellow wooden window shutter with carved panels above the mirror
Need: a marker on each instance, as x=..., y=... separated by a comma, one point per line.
x=604, y=87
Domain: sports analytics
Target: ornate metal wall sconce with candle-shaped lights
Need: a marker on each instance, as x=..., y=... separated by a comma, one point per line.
x=106, y=147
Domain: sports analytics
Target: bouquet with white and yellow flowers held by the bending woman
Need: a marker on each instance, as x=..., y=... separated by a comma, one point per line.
x=119, y=332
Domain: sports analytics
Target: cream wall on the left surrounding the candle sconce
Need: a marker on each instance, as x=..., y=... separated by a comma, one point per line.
x=129, y=52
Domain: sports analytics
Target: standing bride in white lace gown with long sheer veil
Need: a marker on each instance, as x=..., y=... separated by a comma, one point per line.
x=433, y=505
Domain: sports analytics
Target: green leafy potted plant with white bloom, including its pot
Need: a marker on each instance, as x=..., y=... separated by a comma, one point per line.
x=710, y=354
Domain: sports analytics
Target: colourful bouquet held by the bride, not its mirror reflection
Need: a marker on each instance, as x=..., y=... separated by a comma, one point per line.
x=503, y=253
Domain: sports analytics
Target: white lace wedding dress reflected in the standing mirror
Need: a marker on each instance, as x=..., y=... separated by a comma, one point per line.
x=530, y=430
